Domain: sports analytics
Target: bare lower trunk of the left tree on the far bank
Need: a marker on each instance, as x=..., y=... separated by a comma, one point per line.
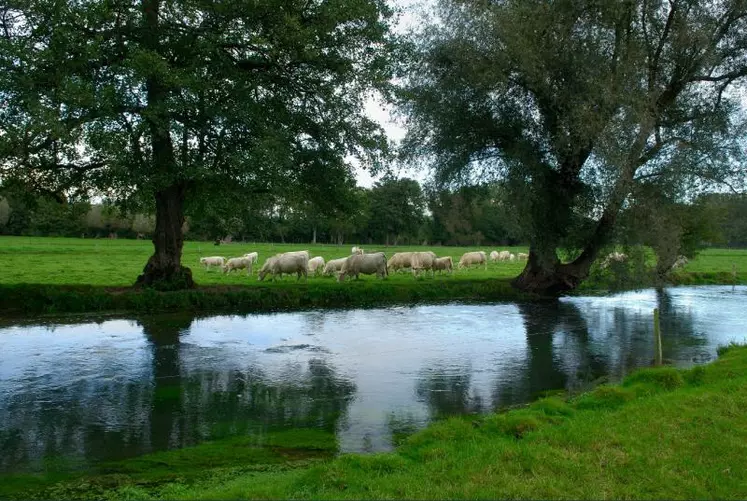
x=164, y=270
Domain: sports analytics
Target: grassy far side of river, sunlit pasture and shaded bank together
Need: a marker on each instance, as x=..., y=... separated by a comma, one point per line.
x=67, y=275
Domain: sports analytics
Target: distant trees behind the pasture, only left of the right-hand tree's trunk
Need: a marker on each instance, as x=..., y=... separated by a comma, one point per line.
x=392, y=212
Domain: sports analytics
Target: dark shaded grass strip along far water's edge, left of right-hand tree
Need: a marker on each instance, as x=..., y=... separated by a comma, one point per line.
x=16, y=300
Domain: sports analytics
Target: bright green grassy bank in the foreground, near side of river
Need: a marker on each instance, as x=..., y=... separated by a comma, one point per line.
x=662, y=434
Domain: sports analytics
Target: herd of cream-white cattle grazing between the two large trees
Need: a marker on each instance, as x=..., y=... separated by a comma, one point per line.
x=359, y=262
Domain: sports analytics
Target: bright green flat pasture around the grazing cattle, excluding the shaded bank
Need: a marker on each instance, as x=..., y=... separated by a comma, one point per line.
x=72, y=261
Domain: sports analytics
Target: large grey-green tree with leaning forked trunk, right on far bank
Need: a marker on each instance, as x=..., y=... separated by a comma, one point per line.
x=574, y=105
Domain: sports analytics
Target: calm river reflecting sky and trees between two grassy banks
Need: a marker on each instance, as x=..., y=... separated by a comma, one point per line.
x=96, y=391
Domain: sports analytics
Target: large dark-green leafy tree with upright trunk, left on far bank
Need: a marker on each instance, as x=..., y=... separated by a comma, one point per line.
x=177, y=99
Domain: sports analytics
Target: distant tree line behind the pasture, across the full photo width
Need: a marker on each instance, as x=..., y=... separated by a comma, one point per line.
x=392, y=212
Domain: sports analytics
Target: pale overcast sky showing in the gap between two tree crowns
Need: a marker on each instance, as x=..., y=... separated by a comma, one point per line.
x=381, y=113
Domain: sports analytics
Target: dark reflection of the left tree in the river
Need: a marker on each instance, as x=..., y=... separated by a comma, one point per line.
x=182, y=394
